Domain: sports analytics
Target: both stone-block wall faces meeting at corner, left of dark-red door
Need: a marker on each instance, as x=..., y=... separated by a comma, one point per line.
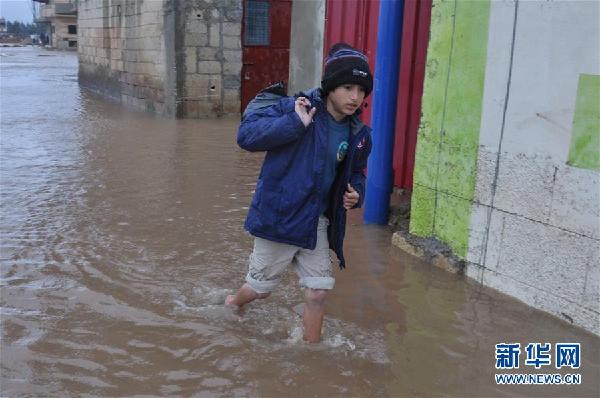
x=174, y=58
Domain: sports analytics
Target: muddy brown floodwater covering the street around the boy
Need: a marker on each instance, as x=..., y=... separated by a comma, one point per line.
x=122, y=233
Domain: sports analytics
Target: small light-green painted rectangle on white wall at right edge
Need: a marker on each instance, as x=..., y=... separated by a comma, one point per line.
x=585, y=140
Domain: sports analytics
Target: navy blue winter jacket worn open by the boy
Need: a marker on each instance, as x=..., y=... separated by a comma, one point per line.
x=285, y=206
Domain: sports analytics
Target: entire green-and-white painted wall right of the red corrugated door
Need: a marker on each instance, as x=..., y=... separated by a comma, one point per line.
x=518, y=196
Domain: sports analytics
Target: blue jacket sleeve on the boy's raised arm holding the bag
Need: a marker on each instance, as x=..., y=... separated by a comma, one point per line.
x=270, y=127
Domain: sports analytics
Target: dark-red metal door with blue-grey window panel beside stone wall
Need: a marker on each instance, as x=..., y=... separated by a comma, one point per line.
x=266, y=45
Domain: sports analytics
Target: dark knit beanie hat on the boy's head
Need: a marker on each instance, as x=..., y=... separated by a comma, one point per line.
x=345, y=64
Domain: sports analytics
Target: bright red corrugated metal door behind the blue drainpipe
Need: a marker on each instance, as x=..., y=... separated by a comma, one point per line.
x=355, y=22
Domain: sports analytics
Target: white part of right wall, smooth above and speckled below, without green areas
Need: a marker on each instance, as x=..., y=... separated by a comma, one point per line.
x=535, y=226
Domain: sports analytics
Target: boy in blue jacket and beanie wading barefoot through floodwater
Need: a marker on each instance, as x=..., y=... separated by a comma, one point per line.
x=317, y=149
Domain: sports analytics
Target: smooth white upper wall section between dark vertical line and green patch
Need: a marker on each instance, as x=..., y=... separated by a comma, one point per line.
x=555, y=42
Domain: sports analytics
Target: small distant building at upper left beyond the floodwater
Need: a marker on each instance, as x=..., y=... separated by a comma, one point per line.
x=60, y=17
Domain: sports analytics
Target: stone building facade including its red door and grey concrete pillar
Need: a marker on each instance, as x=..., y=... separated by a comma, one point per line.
x=201, y=58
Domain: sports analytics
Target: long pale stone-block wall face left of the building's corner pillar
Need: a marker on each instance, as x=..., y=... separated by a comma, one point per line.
x=122, y=52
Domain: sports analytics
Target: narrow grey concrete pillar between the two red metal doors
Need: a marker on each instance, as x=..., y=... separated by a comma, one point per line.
x=306, y=44
